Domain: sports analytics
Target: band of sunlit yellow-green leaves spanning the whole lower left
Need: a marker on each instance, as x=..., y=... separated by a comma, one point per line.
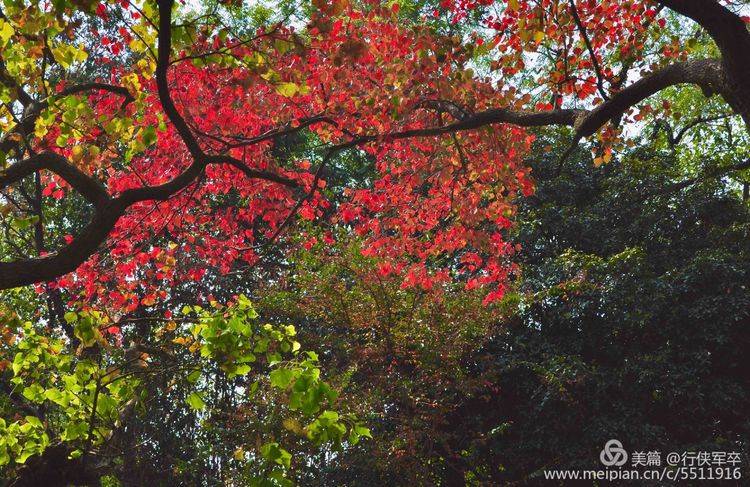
x=87, y=394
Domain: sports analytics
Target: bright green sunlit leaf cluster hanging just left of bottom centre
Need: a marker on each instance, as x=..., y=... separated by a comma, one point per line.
x=236, y=340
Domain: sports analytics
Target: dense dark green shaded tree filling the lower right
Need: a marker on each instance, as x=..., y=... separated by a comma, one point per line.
x=630, y=321
